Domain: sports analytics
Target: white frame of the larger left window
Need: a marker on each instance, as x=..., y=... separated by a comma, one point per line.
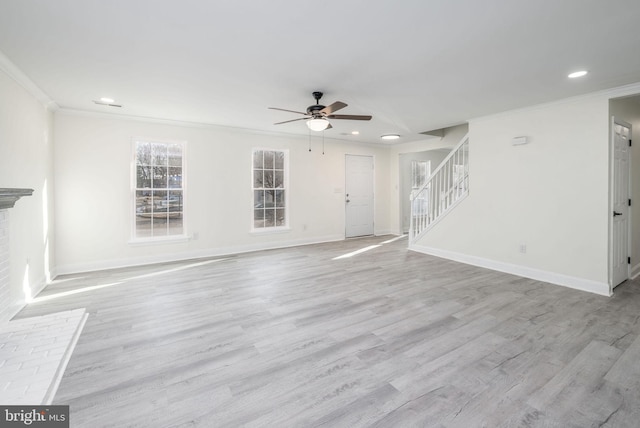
x=135, y=240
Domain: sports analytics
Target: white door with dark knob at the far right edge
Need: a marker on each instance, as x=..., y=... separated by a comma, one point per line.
x=619, y=233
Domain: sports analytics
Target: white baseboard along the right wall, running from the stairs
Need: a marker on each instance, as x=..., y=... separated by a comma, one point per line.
x=582, y=284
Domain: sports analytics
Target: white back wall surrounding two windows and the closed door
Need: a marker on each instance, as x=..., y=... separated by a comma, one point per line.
x=93, y=203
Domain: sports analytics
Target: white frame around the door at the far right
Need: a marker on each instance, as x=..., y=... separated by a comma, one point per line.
x=615, y=121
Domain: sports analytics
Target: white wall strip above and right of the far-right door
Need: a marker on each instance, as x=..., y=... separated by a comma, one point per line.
x=628, y=109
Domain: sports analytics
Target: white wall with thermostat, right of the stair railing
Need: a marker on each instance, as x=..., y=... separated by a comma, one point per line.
x=550, y=195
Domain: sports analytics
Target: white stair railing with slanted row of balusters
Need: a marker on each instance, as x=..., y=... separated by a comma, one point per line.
x=443, y=190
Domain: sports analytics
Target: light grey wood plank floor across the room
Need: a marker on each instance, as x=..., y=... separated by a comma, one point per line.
x=386, y=338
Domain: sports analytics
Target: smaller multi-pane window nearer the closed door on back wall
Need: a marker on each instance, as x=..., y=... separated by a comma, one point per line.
x=269, y=189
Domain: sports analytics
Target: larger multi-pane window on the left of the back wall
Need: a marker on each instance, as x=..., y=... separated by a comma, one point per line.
x=158, y=189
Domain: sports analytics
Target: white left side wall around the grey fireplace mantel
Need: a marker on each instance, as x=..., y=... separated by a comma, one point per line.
x=25, y=162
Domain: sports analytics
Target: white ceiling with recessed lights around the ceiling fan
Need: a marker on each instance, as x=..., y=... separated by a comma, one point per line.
x=415, y=65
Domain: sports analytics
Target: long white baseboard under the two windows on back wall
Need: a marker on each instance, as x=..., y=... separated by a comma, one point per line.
x=187, y=255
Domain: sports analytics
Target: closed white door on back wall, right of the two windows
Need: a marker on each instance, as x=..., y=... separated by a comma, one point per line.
x=359, y=195
